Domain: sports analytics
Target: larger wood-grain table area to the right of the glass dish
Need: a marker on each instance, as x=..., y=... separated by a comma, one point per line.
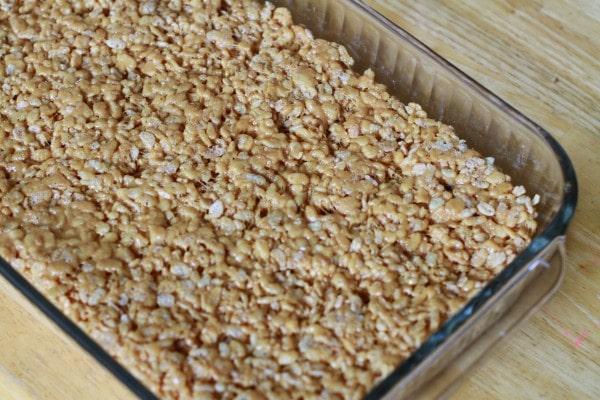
x=543, y=57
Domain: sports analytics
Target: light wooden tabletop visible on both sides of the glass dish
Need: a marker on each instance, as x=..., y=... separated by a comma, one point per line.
x=543, y=57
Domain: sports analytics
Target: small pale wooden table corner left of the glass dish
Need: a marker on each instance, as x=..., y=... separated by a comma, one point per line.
x=38, y=361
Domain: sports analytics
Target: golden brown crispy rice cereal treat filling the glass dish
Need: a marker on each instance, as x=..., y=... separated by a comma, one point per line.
x=228, y=209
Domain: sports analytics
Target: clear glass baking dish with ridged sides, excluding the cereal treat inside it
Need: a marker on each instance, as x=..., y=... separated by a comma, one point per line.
x=413, y=72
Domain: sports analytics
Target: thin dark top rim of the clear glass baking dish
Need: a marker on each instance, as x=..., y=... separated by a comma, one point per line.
x=556, y=228
